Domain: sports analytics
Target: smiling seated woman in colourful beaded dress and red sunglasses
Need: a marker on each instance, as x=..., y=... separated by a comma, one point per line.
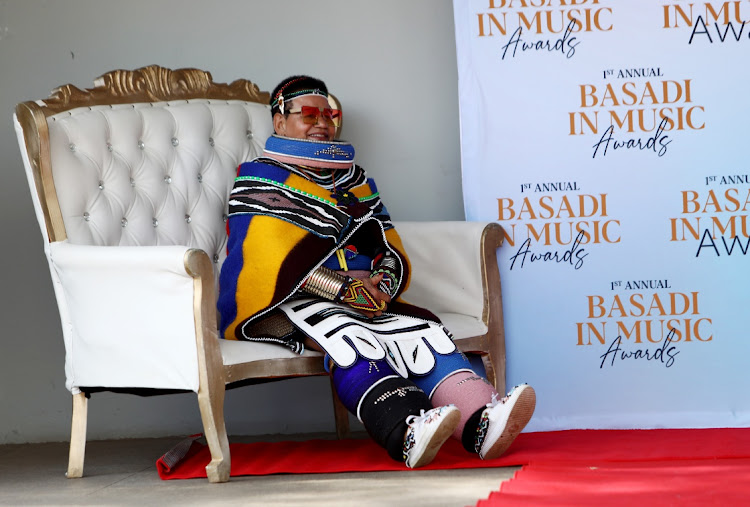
x=313, y=260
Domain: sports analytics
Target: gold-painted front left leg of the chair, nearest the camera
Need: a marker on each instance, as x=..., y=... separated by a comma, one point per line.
x=211, y=403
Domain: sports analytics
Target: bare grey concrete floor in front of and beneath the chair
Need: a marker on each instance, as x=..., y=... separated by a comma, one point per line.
x=122, y=472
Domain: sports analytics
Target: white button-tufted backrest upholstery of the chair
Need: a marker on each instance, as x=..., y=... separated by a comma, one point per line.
x=153, y=174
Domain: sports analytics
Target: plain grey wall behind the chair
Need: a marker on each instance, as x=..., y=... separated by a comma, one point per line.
x=392, y=63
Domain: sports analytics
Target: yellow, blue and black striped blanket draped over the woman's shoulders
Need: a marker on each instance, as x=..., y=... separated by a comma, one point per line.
x=282, y=225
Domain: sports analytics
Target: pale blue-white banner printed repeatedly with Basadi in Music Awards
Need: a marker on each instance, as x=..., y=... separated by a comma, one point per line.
x=610, y=139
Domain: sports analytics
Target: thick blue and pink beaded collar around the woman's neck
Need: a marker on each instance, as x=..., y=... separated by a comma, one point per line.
x=319, y=154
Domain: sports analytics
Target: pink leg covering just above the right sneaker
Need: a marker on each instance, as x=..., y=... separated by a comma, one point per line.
x=467, y=391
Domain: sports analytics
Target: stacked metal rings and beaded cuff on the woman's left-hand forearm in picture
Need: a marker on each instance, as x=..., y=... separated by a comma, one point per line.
x=328, y=284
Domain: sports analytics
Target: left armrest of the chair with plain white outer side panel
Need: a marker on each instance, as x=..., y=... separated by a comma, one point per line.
x=129, y=314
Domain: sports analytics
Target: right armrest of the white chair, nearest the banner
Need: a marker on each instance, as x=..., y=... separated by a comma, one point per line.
x=449, y=265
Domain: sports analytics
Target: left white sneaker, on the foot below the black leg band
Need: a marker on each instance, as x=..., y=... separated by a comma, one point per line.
x=427, y=432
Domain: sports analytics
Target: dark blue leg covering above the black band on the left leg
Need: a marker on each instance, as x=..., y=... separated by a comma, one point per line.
x=353, y=383
